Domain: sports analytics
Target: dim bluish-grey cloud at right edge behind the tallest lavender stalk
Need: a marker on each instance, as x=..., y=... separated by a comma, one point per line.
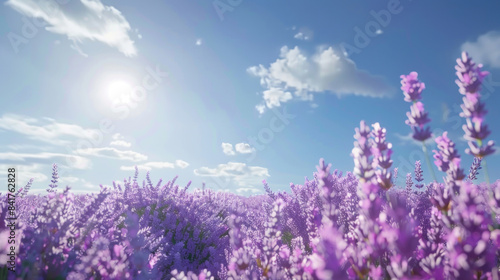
x=486, y=49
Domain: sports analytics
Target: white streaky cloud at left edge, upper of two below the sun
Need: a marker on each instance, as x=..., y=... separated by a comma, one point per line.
x=49, y=131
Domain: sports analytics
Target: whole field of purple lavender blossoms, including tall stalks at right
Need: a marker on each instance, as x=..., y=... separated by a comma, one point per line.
x=354, y=226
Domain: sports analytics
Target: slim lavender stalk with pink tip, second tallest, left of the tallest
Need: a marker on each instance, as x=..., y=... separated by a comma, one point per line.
x=417, y=117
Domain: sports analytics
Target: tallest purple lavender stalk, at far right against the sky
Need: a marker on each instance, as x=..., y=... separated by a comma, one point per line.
x=469, y=82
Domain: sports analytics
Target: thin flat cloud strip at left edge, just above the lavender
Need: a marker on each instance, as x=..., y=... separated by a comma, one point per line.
x=77, y=162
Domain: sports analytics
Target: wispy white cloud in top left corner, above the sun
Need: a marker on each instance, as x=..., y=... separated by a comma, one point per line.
x=95, y=22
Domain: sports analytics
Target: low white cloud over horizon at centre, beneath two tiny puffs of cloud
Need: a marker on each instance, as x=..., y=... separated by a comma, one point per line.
x=235, y=175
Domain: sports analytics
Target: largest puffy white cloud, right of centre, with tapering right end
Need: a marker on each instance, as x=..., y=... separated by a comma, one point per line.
x=294, y=75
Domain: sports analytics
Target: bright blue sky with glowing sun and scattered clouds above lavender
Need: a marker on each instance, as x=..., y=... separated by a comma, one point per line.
x=229, y=92
